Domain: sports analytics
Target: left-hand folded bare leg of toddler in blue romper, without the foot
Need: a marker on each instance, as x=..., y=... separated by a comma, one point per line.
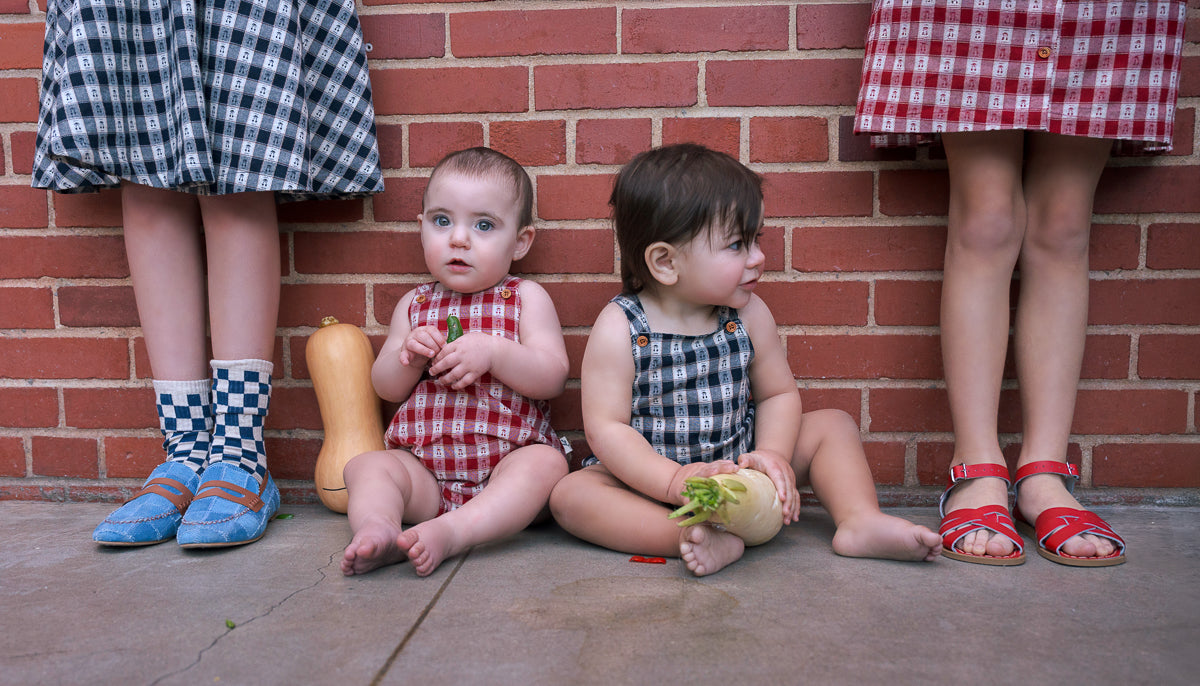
x=593, y=506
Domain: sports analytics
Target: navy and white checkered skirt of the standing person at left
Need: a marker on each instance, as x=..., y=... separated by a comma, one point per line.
x=208, y=97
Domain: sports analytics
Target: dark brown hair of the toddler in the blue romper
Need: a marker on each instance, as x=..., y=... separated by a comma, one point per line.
x=673, y=195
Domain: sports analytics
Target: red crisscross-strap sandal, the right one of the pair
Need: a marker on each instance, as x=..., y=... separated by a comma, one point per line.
x=1057, y=526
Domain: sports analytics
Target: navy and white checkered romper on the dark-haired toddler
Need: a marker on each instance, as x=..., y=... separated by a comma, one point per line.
x=692, y=394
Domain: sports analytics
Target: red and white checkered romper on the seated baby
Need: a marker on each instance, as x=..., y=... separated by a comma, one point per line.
x=460, y=436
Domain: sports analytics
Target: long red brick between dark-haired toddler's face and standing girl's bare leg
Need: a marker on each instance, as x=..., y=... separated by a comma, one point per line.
x=869, y=249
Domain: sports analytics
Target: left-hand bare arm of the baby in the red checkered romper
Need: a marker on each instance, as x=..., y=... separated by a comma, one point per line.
x=405, y=354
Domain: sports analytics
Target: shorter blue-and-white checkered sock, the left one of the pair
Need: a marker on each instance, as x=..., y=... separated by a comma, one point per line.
x=185, y=419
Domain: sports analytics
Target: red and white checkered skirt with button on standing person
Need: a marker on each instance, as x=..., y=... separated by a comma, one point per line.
x=1097, y=69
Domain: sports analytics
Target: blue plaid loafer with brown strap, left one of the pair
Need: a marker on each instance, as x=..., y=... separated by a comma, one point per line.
x=154, y=513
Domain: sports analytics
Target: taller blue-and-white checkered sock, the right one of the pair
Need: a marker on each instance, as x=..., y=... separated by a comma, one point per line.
x=242, y=394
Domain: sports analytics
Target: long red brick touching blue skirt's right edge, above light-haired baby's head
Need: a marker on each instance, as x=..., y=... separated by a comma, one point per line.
x=460, y=91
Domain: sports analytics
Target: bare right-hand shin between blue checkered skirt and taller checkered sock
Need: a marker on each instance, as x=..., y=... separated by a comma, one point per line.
x=243, y=242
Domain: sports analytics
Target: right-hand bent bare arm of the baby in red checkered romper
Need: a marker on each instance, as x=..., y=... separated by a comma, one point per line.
x=536, y=368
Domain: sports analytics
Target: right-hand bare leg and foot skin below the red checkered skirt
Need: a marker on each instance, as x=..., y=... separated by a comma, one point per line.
x=1052, y=317
